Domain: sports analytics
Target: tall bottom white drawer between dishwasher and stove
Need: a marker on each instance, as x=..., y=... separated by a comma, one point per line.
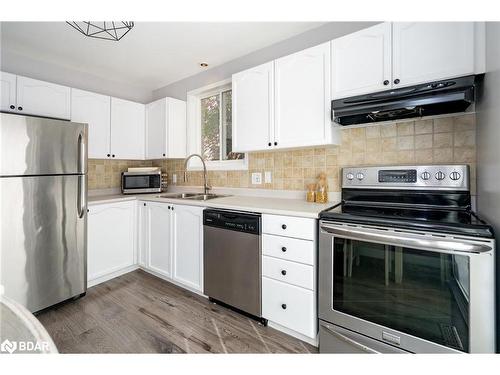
x=289, y=306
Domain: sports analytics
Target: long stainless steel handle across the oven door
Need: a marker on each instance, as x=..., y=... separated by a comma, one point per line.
x=408, y=240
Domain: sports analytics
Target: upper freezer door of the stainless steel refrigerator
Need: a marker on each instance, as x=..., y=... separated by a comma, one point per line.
x=40, y=146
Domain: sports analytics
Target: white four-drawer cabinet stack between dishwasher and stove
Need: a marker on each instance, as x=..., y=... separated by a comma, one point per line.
x=289, y=273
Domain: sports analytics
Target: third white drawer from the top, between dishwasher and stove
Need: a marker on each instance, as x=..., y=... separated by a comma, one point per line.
x=288, y=272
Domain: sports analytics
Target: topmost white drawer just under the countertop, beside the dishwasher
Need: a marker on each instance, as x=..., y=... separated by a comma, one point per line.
x=289, y=226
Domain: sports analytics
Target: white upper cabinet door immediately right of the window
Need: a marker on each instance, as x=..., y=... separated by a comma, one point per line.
x=253, y=108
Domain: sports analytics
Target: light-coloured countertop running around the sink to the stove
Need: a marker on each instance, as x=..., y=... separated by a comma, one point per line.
x=264, y=205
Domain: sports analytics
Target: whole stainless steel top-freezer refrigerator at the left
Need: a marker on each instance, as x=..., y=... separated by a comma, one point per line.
x=43, y=210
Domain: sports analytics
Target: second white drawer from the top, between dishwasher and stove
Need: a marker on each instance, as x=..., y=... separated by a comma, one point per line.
x=302, y=251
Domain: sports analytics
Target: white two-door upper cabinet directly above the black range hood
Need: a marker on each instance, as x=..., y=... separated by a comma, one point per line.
x=399, y=54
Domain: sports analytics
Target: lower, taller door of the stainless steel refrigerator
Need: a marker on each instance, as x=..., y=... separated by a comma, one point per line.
x=43, y=239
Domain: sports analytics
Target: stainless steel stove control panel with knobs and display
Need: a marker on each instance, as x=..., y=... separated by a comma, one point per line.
x=440, y=177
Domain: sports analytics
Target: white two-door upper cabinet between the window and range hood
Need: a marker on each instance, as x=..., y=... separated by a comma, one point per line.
x=284, y=103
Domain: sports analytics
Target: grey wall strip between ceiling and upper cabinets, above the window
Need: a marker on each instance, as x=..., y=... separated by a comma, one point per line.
x=299, y=42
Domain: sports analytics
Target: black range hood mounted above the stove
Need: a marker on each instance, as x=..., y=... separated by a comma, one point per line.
x=430, y=99
